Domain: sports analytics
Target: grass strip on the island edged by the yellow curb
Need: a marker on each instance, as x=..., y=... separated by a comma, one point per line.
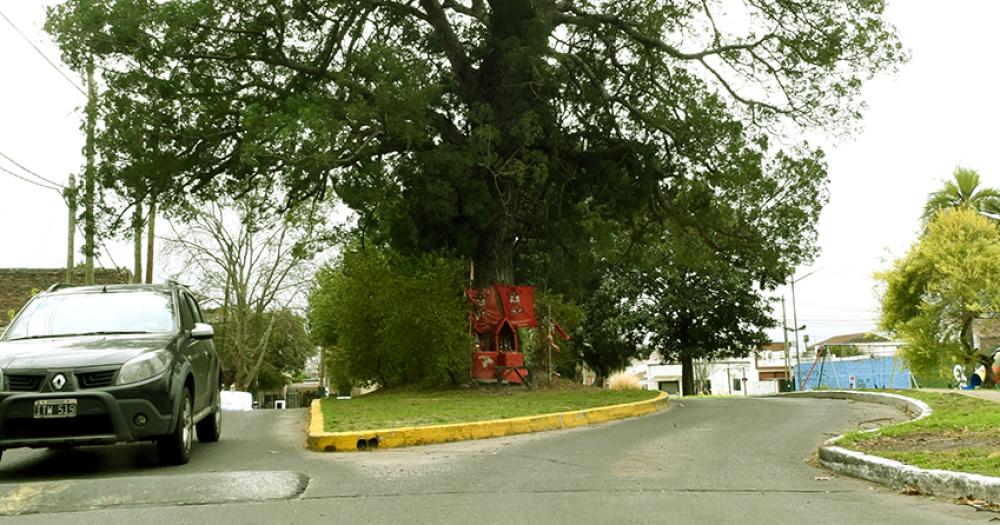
x=415, y=408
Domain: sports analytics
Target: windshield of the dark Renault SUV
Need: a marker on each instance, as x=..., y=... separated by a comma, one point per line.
x=116, y=312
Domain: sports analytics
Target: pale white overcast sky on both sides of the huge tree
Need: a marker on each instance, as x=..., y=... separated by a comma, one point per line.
x=938, y=111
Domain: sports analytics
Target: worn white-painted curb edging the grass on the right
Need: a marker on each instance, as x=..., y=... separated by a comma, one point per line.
x=889, y=472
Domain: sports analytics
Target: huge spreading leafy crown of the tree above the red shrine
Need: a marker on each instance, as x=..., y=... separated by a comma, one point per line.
x=486, y=128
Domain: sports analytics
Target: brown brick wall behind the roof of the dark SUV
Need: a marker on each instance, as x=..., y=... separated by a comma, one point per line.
x=17, y=284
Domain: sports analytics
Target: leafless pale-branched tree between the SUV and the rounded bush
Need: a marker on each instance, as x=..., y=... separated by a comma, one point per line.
x=252, y=267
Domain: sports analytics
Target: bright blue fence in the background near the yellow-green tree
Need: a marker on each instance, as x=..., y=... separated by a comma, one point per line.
x=869, y=372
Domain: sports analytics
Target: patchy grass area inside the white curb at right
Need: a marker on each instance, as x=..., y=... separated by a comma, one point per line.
x=962, y=433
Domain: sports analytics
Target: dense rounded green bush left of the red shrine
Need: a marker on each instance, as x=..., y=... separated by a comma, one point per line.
x=395, y=320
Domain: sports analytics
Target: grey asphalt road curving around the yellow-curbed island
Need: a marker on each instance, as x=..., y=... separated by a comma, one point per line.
x=700, y=461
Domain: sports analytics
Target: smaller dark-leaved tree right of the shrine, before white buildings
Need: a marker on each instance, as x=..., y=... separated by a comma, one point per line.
x=686, y=303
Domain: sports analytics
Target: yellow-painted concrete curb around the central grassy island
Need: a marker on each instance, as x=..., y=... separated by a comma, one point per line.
x=409, y=436
